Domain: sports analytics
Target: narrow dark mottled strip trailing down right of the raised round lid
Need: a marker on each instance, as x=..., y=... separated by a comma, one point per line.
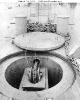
x=71, y=59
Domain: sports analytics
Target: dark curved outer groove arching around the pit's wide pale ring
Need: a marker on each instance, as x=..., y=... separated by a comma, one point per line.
x=45, y=54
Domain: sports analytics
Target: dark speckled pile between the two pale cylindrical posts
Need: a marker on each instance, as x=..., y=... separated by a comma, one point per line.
x=34, y=27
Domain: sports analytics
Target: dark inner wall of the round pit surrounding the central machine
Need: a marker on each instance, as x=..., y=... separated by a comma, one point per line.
x=15, y=70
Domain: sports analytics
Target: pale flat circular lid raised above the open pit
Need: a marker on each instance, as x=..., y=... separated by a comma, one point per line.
x=39, y=41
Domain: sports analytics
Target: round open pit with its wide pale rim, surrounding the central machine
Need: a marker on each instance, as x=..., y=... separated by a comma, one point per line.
x=12, y=67
